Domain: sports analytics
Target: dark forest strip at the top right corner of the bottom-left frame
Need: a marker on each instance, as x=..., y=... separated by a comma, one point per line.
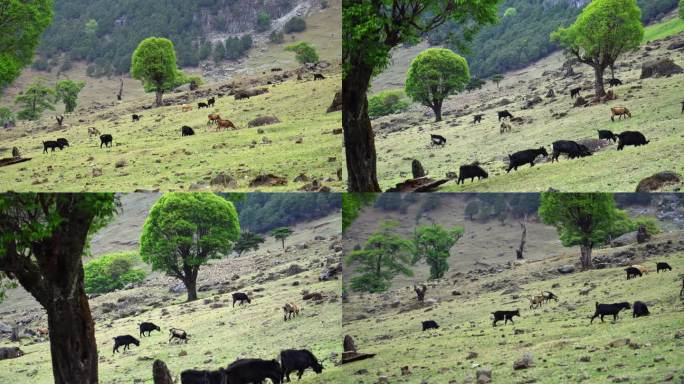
x=261, y=212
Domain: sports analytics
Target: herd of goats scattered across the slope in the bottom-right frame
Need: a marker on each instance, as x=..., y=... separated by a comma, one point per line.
x=638, y=309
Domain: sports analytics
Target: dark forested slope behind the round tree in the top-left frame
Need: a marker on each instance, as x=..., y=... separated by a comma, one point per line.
x=106, y=32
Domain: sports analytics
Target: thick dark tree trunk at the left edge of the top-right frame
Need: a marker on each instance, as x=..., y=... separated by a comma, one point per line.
x=359, y=141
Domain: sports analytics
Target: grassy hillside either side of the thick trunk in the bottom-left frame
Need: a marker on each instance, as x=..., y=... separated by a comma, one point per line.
x=218, y=332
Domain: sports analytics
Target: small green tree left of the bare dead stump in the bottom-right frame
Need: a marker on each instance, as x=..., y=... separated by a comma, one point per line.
x=432, y=244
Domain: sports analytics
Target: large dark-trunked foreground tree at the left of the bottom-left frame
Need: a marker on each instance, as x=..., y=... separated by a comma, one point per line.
x=44, y=255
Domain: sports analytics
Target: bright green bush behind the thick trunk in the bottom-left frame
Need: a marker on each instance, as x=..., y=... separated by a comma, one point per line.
x=111, y=272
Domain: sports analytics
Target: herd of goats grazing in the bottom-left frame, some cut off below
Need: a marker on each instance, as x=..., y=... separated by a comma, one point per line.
x=241, y=371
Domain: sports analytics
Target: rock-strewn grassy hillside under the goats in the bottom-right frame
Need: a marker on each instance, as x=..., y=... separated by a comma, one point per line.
x=564, y=347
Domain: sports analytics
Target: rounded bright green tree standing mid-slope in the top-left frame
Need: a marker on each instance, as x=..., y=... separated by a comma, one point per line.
x=154, y=64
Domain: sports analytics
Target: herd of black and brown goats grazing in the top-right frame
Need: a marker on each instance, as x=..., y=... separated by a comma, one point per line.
x=572, y=149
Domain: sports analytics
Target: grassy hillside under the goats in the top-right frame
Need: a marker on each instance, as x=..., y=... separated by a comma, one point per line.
x=654, y=103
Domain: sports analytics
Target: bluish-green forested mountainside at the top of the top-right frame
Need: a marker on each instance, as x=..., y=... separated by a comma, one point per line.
x=522, y=34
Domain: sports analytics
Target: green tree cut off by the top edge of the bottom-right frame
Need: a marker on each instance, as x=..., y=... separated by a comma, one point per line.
x=583, y=219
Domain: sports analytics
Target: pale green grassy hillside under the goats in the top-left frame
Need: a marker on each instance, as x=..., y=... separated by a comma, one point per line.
x=156, y=157
